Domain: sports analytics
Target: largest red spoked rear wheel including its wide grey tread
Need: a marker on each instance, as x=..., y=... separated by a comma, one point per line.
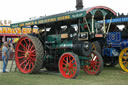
x=29, y=54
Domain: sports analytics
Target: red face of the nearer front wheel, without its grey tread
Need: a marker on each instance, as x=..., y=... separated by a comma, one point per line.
x=70, y=71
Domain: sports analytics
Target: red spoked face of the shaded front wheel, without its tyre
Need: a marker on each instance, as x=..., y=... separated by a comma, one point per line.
x=94, y=67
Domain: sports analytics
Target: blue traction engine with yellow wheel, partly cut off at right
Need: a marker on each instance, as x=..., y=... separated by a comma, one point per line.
x=115, y=46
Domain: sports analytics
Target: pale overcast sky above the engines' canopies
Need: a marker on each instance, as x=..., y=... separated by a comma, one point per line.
x=20, y=10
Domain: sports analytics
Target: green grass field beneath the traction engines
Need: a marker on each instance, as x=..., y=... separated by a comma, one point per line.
x=109, y=76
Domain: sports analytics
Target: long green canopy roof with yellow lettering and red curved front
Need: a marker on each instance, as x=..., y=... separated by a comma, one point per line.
x=64, y=16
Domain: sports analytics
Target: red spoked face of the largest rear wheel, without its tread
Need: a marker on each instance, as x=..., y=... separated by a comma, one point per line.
x=25, y=55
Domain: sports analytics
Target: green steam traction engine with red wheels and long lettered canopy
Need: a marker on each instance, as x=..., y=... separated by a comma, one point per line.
x=64, y=42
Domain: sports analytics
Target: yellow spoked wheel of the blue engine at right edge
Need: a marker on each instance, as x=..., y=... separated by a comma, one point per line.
x=123, y=59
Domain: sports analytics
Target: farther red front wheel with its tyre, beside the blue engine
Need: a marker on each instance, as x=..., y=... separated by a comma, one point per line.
x=96, y=64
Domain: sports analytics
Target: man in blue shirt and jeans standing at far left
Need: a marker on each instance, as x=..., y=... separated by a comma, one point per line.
x=5, y=56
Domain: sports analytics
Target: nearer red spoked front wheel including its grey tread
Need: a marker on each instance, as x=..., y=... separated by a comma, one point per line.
x=69, y=65
